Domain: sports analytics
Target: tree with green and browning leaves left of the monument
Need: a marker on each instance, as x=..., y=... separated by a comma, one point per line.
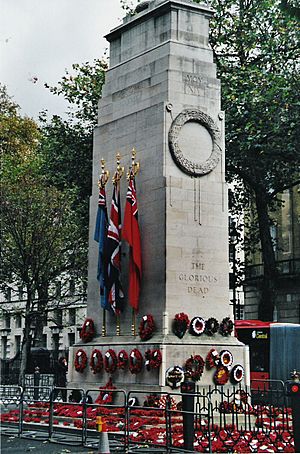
x=41, y=238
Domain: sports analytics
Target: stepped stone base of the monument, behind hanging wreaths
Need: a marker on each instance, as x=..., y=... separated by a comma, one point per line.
x=174, y=352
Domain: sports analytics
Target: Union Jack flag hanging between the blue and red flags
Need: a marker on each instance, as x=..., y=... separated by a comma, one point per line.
x=113, y=251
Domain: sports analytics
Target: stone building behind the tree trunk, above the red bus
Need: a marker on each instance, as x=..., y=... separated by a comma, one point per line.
x=286, y=236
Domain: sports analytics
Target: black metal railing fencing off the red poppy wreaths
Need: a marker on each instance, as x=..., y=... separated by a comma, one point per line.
x=224, y=419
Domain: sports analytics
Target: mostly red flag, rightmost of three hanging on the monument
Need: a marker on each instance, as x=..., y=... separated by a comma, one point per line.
x=131, y=234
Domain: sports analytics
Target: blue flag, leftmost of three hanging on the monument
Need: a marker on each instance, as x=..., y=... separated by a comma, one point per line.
x=100, y=236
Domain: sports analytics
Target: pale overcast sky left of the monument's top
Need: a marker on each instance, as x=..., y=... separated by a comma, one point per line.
x=40, y=38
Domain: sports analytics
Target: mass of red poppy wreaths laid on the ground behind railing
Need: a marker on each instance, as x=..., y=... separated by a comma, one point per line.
x=269, y=430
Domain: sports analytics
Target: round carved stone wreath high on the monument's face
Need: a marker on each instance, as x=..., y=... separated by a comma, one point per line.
x=185, y=164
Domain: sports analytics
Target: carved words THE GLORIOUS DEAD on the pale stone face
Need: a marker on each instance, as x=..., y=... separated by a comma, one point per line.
x=197, y=281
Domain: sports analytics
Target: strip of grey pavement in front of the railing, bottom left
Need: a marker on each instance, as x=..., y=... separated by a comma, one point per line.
x=16, y=445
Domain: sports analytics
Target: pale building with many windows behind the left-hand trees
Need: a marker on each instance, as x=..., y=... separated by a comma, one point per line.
x=64, y=321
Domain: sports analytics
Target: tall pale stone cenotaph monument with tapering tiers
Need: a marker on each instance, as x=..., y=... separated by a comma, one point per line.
x=162, y=97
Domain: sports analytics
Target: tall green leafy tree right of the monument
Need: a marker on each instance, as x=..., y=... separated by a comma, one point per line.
x=256, y=47
